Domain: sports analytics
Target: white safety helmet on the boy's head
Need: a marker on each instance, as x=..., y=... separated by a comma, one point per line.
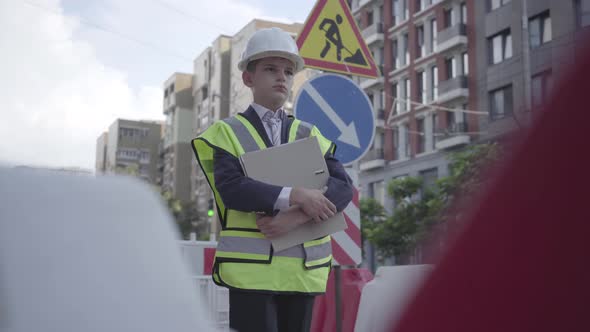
x=272, y=42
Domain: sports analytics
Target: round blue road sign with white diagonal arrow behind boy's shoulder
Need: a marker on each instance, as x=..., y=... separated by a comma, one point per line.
x=342, y=112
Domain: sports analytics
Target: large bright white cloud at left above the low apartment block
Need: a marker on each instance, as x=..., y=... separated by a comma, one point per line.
x=57, y=96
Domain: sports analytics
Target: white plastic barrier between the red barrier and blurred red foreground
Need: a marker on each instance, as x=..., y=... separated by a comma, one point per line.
x=385, y=297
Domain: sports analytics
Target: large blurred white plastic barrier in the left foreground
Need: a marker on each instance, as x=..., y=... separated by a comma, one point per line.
x=79, y=253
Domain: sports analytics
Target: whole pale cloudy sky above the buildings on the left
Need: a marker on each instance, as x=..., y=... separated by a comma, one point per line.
x=71, y=67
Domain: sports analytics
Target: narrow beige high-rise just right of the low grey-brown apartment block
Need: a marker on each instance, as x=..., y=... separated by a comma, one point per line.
x=176, y=151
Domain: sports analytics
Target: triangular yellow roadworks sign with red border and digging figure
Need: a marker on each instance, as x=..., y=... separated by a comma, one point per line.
x=331, y=41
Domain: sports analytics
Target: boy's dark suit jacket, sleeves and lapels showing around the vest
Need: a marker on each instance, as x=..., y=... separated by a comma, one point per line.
x=241, y=193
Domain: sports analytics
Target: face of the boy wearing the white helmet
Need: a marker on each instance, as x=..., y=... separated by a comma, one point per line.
x=271, y=81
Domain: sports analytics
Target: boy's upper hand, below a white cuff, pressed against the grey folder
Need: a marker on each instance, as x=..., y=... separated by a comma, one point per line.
x=313, y=203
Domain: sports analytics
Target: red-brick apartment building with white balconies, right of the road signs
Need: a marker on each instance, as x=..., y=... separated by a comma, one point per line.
x=423, y=50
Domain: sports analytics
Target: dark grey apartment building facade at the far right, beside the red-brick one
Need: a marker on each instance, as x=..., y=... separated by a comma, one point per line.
x=555, y=33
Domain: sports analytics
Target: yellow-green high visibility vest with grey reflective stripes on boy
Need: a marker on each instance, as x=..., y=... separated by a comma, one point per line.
x=244, y=258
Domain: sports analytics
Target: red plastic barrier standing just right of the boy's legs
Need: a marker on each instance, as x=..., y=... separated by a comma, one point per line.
x=324, y=311
